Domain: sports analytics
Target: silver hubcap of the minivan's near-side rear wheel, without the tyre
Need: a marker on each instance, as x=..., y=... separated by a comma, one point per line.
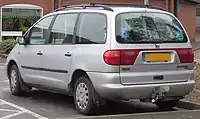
x=82, y=95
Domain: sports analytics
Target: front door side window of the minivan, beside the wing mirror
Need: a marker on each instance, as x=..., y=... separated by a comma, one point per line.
x=40, y=32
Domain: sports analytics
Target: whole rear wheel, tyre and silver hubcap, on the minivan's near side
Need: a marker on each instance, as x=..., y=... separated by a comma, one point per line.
x=89, y=106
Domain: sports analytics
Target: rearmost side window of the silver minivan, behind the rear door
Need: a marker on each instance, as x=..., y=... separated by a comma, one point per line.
x=92, y=29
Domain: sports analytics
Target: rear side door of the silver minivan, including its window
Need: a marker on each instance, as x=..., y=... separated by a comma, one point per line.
x=59, y=52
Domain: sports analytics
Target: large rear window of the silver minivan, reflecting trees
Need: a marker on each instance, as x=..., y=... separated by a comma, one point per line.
x=148, y=28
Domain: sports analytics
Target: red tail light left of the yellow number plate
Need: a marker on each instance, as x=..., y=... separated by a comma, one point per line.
x=120, y=57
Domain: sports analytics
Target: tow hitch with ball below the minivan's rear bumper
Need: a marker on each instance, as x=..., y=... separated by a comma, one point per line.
x=159, y=93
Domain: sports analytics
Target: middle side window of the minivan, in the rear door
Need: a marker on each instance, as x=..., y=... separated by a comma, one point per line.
x=63, y=29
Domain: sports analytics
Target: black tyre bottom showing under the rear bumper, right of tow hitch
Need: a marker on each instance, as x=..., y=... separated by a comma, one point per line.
x=167, y=104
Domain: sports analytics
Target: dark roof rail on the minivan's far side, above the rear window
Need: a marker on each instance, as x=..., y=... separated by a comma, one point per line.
x=131, y=5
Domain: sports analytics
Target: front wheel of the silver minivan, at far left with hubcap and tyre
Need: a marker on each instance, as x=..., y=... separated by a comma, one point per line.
x=14, y=81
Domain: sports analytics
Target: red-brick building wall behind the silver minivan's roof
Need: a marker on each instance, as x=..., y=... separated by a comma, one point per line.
x=187, y=13
